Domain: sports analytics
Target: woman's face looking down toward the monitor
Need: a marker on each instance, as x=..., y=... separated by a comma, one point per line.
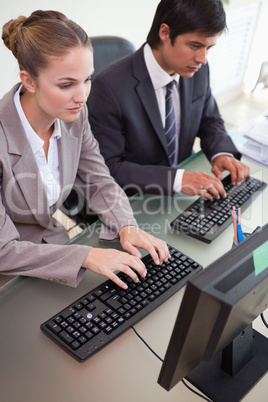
x=61, y=89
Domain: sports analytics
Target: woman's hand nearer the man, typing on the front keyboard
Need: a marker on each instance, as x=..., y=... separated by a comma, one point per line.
x=132, y=237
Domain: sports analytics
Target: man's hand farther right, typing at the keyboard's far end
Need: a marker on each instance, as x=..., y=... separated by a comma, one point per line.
x=237, y=169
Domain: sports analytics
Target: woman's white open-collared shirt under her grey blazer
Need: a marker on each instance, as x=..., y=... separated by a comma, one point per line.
x=48, y=168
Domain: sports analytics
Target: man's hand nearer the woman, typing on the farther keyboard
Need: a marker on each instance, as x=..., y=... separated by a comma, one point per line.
x=203, y=184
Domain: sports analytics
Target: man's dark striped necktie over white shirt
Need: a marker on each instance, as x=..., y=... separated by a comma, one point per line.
x=170, y=126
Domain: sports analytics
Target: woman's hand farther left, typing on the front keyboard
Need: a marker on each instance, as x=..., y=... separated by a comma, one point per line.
x=107, y=261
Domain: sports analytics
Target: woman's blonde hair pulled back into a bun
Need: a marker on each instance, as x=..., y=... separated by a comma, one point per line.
x=43, y=34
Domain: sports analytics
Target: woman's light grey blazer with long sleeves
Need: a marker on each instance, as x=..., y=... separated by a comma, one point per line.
x=31, y=241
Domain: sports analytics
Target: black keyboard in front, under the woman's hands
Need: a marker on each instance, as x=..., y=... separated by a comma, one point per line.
x=100, y=316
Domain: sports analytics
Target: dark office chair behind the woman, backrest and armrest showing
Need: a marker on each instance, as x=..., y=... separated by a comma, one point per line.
x=107, y=49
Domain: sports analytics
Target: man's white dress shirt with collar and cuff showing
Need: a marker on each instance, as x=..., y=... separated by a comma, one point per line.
x=160, y=78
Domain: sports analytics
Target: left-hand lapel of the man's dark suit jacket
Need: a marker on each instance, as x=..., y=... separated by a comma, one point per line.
x=146, y=94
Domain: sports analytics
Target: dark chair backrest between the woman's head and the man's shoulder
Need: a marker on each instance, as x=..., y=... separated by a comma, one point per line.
x=108, y=49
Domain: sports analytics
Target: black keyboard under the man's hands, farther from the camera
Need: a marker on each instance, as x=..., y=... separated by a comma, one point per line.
x=205, y=220
